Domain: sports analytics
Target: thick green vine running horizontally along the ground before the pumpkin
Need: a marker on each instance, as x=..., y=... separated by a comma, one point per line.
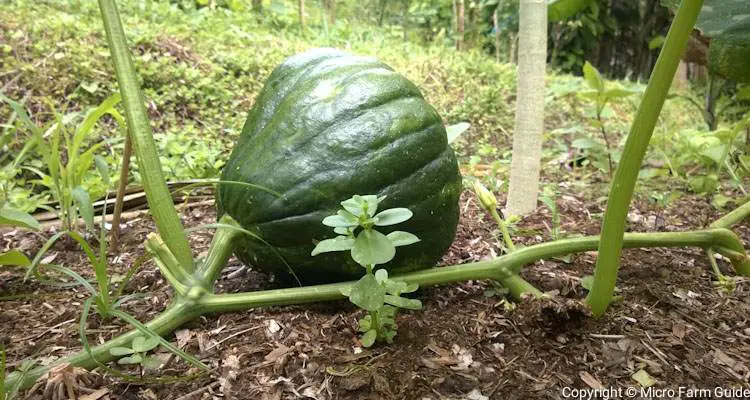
x=505, y=269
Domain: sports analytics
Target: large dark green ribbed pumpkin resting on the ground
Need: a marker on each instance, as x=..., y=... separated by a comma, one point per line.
x=326, y=126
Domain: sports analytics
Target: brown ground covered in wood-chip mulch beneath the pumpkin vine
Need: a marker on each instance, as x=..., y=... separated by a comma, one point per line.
x=463, y=345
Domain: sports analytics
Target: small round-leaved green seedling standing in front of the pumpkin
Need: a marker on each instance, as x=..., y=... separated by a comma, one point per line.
x=374, y=292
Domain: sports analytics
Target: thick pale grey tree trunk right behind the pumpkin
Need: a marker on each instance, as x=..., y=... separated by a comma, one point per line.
x=529, y=126
